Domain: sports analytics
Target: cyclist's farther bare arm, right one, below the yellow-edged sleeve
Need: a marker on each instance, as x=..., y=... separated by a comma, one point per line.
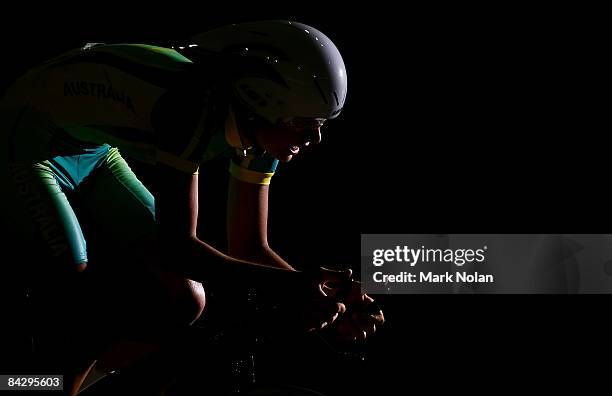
x=247, y=223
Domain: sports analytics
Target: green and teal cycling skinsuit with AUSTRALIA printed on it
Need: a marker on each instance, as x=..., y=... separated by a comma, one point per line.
x=64, y=124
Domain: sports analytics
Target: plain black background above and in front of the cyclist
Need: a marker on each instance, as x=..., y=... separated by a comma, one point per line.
x=458, y=119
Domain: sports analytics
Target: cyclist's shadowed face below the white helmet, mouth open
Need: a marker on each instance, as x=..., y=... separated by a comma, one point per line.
x=285, y=139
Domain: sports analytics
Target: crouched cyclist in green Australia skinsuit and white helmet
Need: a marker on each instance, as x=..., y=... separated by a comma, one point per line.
x=256, y=92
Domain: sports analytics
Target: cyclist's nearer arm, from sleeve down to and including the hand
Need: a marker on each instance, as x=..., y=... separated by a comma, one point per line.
x=177, y=213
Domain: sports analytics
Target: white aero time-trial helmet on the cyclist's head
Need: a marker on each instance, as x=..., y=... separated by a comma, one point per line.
x=283, y=69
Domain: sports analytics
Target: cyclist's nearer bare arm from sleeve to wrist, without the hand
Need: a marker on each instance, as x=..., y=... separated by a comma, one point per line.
x=182, y=250
